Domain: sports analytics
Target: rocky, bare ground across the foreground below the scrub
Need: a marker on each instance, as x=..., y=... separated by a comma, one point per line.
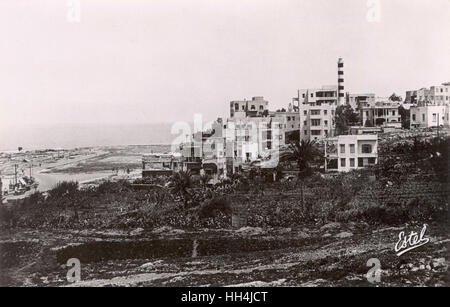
x=332, y=255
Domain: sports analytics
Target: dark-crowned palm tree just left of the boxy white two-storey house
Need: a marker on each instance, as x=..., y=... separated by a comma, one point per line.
x=303, y=152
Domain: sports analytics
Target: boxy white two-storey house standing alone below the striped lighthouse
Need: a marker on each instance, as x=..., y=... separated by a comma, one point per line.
x=349, y=152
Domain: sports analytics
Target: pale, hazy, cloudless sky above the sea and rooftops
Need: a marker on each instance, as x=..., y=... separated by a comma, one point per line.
x=161, y=61
